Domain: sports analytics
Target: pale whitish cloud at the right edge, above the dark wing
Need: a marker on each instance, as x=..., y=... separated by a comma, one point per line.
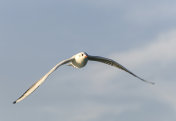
x=159, y=50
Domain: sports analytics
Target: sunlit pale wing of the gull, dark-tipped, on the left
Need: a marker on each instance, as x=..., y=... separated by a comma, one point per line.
x=40, y=81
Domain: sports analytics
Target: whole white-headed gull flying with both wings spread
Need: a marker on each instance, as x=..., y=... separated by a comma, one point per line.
x=77, y=61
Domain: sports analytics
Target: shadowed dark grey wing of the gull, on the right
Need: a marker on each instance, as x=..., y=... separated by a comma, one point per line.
x=115, y=64
